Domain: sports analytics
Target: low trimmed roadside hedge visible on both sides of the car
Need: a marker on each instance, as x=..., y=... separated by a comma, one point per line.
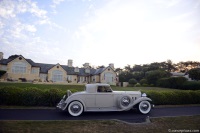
x=50, y=97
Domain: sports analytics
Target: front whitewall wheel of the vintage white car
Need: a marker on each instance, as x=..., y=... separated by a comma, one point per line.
x=144, y=107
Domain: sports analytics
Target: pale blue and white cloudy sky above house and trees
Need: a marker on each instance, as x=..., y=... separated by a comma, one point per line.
x=99, y=32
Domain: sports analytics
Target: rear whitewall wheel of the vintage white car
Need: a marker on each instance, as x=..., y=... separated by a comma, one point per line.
x=75, y=108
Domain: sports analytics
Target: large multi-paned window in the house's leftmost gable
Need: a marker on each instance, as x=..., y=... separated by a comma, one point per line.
x=19, y=67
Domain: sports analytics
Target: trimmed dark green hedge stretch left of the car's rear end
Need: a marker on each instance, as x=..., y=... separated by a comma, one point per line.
x=30, y=96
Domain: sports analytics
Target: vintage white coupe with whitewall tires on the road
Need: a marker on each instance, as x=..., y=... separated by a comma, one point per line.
x=100, y=97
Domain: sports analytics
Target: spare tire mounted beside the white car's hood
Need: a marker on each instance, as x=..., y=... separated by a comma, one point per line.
x=124, y=101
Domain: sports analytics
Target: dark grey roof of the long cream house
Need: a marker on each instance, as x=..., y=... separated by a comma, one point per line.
x=44, y=68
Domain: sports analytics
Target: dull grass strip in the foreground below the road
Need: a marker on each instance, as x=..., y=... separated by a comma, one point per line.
x=157, y=125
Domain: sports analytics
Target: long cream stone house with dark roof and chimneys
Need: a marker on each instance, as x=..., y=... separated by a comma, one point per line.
x=17, y=67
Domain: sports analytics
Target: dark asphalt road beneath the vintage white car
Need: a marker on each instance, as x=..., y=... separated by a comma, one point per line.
x=128, y=116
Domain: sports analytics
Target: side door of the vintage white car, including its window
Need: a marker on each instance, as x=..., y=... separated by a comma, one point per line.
x=104, y=98
